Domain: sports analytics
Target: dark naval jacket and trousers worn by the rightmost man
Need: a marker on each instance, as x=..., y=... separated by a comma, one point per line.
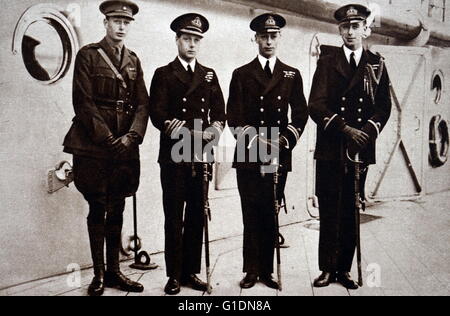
x=340, y=98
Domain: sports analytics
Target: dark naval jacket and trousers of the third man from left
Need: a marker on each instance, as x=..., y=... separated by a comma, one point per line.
x=258, y=101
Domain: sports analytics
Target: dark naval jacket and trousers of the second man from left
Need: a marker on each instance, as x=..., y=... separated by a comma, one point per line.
x=174, y=95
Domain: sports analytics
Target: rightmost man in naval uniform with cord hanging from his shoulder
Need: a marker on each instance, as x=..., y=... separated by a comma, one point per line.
x=350, y=102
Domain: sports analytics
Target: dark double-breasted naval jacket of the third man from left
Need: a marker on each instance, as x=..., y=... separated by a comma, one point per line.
x=257, y=101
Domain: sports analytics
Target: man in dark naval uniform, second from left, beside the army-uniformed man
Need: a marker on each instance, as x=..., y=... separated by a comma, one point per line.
x=185, y=96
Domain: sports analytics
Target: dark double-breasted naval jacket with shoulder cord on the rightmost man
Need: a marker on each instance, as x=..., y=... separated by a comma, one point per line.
x=338, y=98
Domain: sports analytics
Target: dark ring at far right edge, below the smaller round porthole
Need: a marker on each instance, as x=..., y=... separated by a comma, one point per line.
x=439, y=141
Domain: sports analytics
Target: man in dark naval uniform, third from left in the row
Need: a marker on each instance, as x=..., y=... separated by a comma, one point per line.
x=261, y=95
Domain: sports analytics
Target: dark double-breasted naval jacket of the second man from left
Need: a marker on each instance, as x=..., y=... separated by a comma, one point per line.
x=174, y=95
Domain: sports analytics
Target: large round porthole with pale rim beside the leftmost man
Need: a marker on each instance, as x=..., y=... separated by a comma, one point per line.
x=46, y=41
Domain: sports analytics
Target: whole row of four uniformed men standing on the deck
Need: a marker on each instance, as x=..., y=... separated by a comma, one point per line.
x=350, y=102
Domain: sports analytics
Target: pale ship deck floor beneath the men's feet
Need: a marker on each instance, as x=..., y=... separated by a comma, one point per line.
x=405, y=252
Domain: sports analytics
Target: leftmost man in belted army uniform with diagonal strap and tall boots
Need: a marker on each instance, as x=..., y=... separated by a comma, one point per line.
x=111, y=106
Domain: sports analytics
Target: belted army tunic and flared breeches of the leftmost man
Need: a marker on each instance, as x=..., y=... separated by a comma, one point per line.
x=104, y=107
